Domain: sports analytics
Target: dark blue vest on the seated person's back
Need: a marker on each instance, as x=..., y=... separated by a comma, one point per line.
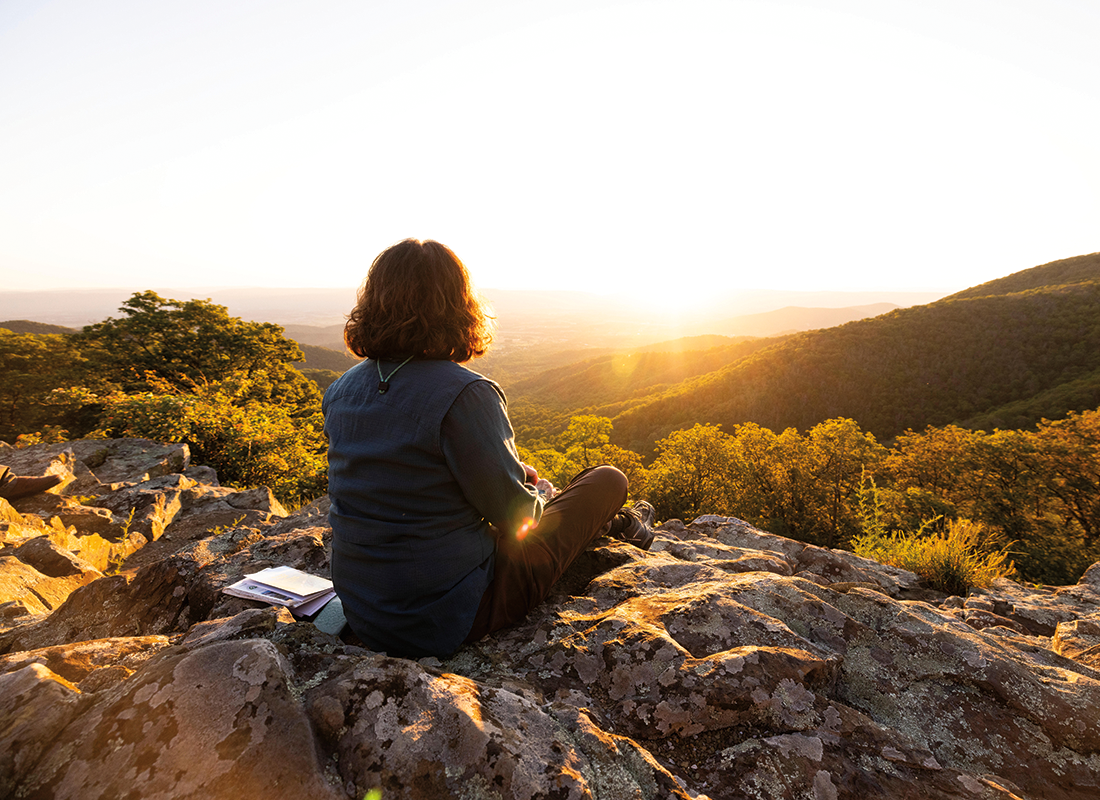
x=411, y=556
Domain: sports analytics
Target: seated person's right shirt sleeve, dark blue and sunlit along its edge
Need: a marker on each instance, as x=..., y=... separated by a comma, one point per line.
x=479, y=446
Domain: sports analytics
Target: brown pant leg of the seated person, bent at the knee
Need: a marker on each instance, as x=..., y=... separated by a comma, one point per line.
x=527, y=568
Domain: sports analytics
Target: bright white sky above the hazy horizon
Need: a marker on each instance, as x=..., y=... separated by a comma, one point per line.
x=677, y=147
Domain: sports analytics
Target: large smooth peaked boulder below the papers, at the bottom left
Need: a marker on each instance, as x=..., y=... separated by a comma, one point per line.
x=217, y=722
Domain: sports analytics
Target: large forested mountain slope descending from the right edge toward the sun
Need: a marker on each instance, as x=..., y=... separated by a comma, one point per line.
x=1002, y=355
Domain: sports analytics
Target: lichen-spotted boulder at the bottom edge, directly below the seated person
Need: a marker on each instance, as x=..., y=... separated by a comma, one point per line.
x=423, y=736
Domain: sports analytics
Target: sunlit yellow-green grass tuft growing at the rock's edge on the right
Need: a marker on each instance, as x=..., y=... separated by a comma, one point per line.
x=953, y=561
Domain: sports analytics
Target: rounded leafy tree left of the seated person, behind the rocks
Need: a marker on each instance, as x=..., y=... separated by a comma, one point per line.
x=188, y=371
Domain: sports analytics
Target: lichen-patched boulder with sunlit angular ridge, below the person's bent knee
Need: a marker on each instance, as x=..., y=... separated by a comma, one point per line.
x=675, y=663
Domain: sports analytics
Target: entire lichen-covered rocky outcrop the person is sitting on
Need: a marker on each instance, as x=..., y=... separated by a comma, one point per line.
x=725, y=663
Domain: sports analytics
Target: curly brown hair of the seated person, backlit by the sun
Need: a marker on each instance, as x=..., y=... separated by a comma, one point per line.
x=417, y=301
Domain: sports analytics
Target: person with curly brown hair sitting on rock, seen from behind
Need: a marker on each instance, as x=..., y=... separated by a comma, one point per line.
x=441, y=535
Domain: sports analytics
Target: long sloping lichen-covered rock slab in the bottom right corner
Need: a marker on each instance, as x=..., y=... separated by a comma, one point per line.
x=983, y=705
